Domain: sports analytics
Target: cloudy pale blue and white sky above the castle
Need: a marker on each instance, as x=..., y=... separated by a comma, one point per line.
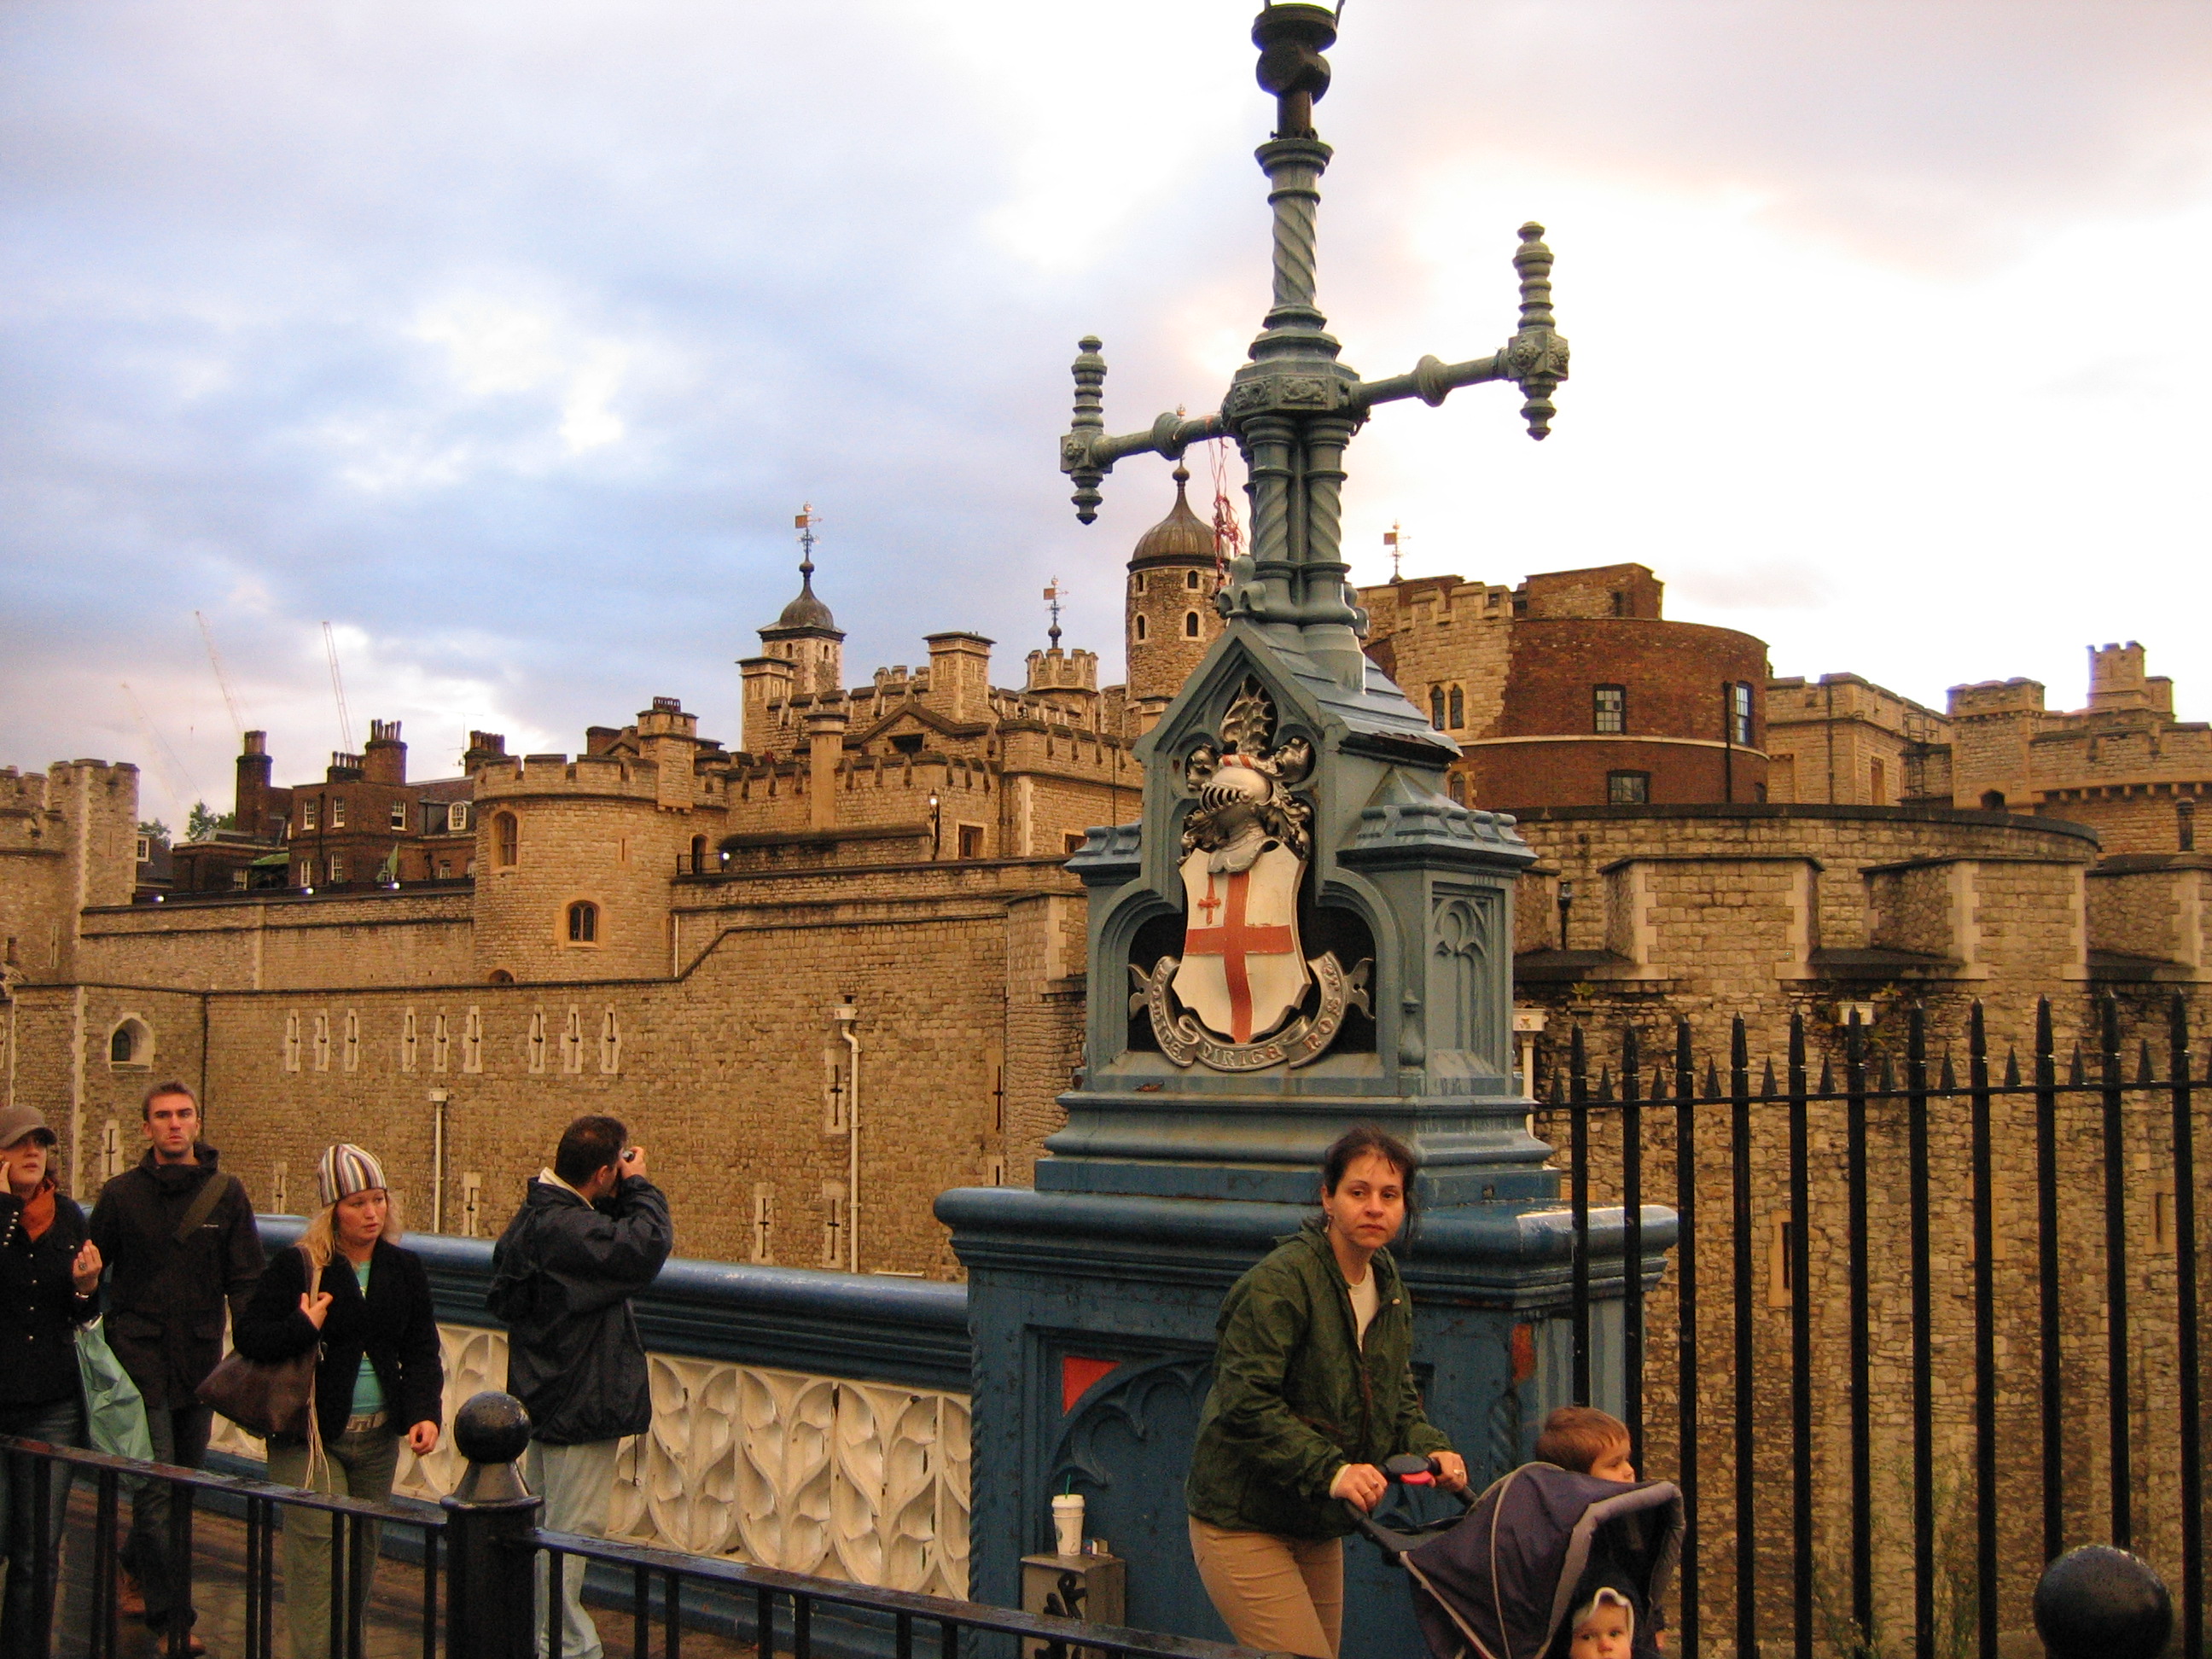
x=510, y=337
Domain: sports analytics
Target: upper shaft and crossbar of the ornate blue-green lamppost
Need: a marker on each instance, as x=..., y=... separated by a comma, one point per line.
x=1293, y=408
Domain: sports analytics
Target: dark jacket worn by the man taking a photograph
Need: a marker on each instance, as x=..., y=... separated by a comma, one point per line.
x=563, y=1277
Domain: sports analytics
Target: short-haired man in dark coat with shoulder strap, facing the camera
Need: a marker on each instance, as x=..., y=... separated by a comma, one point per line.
x=180, y=1240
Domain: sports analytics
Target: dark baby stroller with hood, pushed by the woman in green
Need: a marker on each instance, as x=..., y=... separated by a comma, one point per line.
x=1505, y=1578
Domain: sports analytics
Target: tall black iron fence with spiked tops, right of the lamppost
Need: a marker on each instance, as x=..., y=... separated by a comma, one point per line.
x=1930, y=1331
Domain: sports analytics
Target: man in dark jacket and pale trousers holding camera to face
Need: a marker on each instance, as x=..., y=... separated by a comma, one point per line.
x=589, y=1235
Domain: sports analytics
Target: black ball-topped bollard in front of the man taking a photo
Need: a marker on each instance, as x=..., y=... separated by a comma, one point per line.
x=490, y=1589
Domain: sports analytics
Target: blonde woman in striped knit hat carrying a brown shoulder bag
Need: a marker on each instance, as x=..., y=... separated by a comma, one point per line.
x=379, y=1379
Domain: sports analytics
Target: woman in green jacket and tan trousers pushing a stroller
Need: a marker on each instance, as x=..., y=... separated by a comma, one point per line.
x=1313, y=1392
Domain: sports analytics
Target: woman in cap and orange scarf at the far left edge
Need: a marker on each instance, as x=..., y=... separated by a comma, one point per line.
x=50, y=1284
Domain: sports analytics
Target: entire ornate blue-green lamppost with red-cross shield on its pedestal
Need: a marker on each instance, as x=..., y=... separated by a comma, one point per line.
x=1302, y=935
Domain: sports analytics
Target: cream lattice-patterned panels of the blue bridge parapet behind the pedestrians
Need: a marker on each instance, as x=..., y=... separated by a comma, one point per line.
x=811, y=1474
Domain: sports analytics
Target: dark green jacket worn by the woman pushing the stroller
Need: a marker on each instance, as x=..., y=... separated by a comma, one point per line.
x=1297, y=1397
